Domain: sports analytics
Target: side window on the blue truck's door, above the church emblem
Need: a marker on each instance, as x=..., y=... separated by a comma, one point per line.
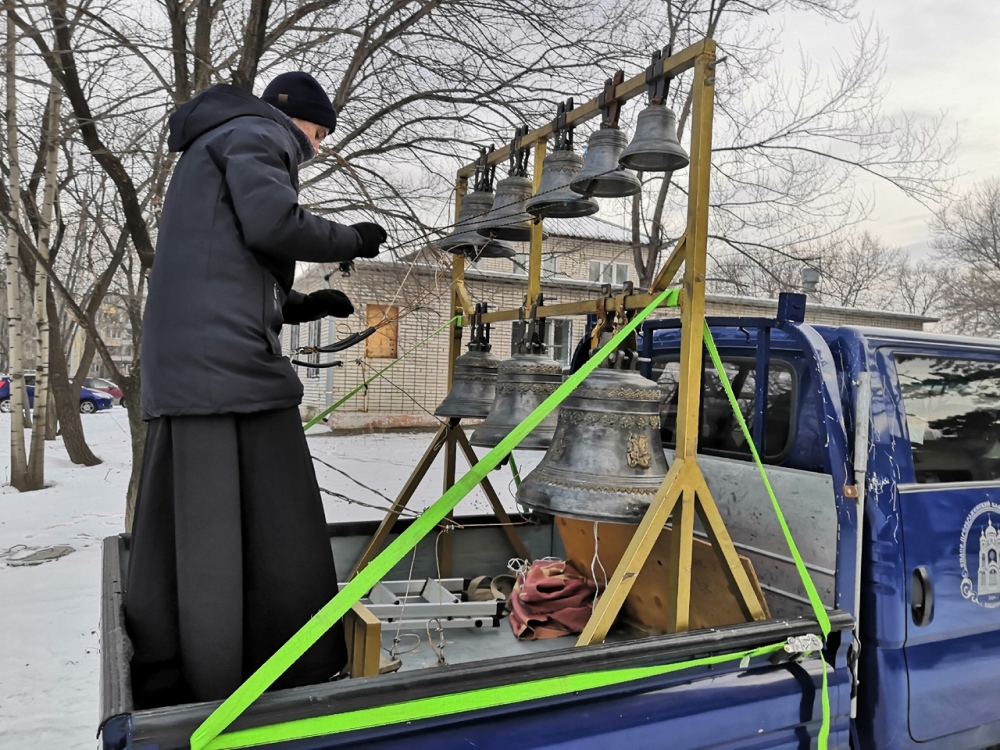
x=952, y=416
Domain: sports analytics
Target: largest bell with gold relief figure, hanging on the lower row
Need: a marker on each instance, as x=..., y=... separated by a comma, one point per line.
x=606, y=459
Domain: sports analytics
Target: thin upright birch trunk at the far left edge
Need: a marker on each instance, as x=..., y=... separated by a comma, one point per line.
x=18, y=394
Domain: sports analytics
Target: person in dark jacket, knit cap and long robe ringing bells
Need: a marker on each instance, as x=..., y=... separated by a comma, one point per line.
x=229, y=554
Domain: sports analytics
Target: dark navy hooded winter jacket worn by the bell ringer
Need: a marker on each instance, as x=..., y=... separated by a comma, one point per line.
x=221, y=284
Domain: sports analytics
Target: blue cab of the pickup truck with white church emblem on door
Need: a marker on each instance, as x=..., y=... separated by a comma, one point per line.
x=923, y=409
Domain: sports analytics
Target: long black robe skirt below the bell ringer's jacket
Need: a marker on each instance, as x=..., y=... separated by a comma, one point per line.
x=229, y=557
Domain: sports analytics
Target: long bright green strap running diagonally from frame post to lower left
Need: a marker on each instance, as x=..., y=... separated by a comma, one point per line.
x=308, y=634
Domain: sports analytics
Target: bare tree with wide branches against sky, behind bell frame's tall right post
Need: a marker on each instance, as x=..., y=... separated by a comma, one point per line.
x=786, y=149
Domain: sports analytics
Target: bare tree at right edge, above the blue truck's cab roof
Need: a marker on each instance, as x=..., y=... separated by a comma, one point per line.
x=967, y=240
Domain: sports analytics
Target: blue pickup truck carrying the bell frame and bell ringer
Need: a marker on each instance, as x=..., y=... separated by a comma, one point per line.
x=883, y=448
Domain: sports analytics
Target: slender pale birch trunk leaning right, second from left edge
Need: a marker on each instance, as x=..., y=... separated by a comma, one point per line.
x=36, y=460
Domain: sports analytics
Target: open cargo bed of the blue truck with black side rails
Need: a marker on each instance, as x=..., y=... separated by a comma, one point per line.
x=786, y=695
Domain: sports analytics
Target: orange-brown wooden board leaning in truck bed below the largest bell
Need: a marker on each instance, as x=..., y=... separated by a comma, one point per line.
x=713, y=603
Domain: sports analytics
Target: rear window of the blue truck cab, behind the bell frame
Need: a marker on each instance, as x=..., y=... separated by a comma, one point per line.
x=720, y=432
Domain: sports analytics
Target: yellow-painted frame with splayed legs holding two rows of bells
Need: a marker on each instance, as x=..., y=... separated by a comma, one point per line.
x=684, y=491
